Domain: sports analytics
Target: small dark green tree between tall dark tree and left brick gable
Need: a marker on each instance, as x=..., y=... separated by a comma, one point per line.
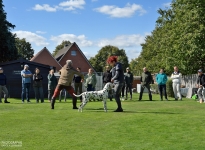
x=24, y=49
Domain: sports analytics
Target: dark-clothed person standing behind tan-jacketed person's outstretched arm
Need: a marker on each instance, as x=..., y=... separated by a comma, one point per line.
x=77, y=83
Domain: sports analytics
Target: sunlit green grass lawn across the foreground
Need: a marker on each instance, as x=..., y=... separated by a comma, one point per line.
x=144, y=125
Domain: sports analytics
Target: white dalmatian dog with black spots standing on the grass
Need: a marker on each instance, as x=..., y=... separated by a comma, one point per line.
x=96, y=95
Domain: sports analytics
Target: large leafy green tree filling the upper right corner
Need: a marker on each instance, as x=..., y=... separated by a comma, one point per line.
x=178, y=39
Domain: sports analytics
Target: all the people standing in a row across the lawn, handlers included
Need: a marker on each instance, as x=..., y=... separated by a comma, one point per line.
x=115, y=75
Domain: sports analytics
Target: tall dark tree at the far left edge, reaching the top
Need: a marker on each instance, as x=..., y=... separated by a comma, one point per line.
x=8, y=50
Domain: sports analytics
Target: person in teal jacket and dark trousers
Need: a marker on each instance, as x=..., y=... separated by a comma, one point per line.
x=161, y=80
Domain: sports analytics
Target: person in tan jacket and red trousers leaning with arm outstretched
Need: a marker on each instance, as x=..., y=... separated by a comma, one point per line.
x=67, y=73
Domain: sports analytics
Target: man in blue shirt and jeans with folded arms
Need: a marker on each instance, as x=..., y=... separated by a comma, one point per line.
x=26, y=83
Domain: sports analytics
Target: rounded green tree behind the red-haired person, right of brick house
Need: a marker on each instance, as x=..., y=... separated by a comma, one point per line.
x=99, y=61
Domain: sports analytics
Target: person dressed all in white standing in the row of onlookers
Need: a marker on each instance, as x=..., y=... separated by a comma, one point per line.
x=176, y=83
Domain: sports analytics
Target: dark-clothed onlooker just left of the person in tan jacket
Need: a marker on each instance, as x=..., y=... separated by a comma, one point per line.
x=52, y=83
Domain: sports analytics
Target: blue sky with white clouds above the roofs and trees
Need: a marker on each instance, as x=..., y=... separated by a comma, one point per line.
x=92, y=24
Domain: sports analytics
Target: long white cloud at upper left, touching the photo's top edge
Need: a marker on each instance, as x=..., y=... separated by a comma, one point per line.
x=66, y=6
